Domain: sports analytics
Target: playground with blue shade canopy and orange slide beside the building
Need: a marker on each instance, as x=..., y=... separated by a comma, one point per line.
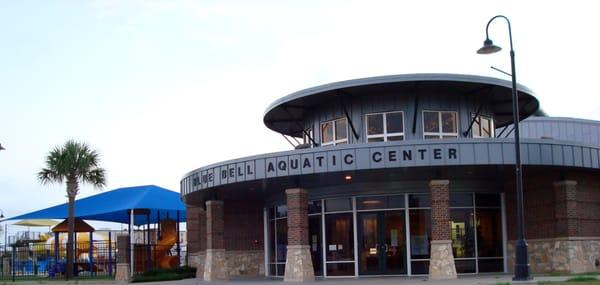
x=152, y=213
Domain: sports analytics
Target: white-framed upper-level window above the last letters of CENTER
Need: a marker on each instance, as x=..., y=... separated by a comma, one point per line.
x=440, y=124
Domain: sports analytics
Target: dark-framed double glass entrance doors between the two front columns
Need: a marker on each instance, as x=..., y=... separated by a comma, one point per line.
x=382, y=243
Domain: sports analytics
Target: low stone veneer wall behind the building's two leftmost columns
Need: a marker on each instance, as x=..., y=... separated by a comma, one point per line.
x=250, y=263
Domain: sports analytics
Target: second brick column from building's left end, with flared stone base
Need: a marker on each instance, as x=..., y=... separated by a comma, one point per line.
x=215, y=264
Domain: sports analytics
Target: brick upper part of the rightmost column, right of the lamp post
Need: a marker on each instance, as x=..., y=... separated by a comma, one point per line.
x=565, y=208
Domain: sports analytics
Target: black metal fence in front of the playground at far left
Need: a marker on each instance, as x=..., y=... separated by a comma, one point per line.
x=42, y=261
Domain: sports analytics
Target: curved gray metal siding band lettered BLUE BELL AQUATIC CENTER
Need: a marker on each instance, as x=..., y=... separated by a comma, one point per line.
x=392, y=155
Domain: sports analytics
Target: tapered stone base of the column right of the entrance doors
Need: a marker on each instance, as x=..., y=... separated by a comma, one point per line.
x=441, y=264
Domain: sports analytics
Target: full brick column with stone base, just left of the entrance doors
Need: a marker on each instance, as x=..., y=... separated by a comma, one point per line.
x=298, y=263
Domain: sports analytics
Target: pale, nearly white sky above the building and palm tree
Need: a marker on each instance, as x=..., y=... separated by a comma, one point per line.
x=160, y=88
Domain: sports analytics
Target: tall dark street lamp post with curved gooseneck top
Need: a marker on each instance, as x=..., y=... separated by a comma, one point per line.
x=522, y=270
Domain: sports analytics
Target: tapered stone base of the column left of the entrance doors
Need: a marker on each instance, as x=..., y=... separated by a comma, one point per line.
x=298, y=264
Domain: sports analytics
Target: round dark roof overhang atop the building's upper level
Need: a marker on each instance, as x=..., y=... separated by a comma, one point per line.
x=287, y=114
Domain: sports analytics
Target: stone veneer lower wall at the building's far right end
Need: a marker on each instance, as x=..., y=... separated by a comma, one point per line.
x=570, y=255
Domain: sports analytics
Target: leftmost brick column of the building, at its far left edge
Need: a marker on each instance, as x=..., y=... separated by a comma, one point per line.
x=196, y=238
